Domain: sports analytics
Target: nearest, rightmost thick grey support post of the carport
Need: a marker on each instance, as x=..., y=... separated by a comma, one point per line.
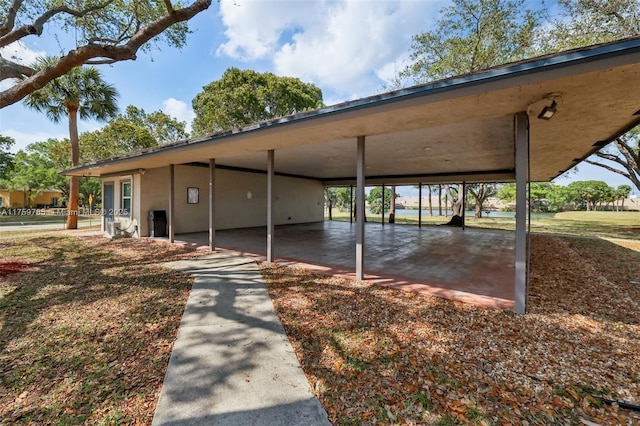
x=521, y=126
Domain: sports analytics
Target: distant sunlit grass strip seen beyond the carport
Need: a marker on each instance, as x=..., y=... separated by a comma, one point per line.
x=603, y=224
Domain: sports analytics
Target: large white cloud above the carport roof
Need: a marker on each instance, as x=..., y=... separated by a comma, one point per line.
x=349, y=48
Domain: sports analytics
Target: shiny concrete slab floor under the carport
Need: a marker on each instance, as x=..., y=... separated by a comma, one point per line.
x=471, y=265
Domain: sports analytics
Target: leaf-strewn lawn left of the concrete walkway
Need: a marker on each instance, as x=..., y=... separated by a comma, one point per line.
x=86, y=328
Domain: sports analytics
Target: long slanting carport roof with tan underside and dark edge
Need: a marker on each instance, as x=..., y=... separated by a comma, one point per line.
x=461, y=128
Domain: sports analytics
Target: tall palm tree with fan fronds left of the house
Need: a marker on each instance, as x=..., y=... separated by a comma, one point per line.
x=80, y=92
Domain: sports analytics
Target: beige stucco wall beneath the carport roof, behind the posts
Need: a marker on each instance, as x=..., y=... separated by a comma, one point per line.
x=241, y=199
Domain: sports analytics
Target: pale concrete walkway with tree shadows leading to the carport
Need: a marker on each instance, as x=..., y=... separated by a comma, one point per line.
x=232, y=363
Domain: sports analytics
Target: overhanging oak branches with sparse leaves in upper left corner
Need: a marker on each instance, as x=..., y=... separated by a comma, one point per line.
x=104, y=32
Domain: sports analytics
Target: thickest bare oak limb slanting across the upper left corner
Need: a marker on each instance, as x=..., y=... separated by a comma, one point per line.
x=83, y=54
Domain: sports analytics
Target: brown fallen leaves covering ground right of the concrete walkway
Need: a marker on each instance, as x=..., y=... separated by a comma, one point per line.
x=380, y=356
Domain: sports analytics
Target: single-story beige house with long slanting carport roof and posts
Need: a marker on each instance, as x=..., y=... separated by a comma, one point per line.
x=521, y=122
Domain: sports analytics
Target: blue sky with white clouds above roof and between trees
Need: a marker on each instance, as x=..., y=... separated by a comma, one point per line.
x=349, y=48
